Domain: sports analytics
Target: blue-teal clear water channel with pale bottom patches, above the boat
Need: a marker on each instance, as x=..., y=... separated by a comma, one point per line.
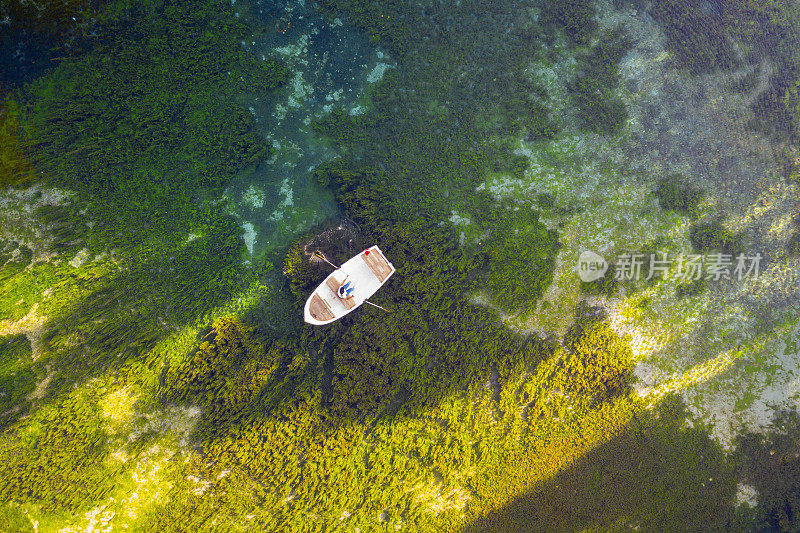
x=331, y=64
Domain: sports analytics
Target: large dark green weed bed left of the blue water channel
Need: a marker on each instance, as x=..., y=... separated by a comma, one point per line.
x=145, y=131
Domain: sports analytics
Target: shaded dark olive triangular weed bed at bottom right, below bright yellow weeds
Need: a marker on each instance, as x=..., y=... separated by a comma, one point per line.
x=644, y=477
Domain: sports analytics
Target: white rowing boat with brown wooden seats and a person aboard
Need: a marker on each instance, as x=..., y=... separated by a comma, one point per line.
x=356, y=280
